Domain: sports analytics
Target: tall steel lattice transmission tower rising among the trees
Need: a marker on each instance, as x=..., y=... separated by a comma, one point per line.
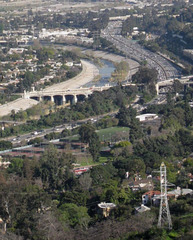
x=164, y=212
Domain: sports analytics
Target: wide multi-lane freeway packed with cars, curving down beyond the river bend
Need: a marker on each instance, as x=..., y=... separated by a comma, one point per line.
x=133, y=50
